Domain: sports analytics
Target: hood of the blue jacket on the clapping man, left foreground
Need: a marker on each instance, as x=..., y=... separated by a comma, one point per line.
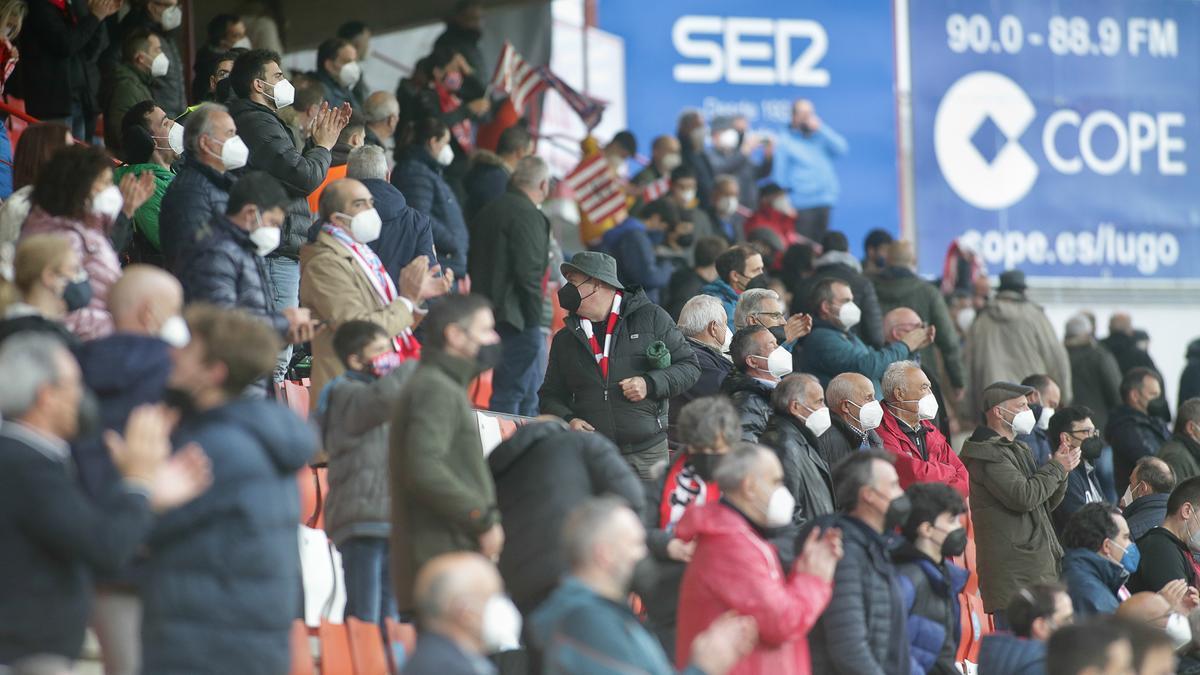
x=289, y=443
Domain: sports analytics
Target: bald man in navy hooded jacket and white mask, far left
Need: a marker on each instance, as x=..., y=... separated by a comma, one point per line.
x=125, y=371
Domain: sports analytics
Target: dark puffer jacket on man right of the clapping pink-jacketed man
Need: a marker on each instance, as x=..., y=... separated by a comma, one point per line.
x=865, y=629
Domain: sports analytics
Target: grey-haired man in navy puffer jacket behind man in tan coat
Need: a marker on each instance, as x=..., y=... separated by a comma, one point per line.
x=201, y=190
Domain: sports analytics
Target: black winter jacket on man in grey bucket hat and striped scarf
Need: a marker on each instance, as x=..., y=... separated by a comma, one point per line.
x=574, y=386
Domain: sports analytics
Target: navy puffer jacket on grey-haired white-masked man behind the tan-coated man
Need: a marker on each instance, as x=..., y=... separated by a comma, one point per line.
x=197, y=196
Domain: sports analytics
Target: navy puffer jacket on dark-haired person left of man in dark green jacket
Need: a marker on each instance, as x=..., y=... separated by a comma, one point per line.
x=419, y=177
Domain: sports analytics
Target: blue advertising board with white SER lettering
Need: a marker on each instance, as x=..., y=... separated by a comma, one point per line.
x=755, y=58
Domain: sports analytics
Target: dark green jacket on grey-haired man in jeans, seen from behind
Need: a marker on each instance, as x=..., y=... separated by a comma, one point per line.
x=513, y=240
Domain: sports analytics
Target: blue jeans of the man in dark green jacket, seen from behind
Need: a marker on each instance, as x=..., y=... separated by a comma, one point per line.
x=517, y=380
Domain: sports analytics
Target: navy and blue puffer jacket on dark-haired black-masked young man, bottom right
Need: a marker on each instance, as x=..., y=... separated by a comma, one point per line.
x=931, y=593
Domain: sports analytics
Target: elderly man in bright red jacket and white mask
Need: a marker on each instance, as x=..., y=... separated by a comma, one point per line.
x=923, y=455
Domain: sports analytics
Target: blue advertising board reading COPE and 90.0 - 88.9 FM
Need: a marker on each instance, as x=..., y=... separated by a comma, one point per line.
x=1059, y=139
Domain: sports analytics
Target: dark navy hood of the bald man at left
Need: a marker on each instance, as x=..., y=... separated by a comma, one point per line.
x=123, y=362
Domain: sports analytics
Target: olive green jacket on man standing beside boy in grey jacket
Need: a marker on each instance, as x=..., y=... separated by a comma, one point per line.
x=442, y=492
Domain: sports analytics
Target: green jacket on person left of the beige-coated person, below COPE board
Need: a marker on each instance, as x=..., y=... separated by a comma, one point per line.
x=899, y=288
